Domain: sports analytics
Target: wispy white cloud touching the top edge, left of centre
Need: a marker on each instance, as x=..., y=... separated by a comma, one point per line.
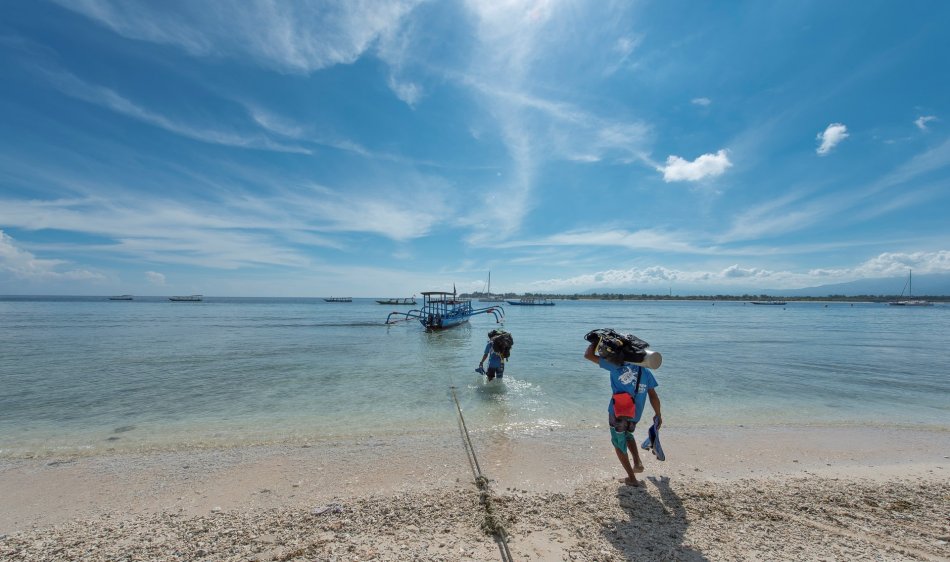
x=301, y=36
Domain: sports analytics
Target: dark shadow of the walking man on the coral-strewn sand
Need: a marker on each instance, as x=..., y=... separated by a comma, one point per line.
x=655, y=527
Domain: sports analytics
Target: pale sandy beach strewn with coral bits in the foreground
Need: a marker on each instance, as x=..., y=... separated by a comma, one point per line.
x=742, y=494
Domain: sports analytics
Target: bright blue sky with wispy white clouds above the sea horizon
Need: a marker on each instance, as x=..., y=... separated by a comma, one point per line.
x=384, y=148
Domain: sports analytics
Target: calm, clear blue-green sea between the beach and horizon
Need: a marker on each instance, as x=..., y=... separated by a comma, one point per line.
x=86, y=375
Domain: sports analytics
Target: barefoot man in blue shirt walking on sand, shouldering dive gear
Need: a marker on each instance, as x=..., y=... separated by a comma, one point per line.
x=631, y=384
